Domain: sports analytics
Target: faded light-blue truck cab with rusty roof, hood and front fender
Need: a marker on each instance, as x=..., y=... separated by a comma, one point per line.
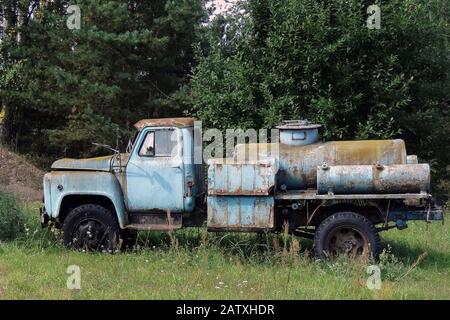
x=138, y=188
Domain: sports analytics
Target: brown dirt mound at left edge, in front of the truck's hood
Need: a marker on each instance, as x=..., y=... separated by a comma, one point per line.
x=19, y=177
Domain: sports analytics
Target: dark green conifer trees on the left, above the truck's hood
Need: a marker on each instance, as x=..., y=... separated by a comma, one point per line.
x=63, y=89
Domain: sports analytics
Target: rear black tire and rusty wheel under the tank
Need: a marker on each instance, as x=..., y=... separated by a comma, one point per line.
x=346, y=233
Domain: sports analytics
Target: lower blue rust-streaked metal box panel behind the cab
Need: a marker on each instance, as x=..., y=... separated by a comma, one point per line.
x=226, y=213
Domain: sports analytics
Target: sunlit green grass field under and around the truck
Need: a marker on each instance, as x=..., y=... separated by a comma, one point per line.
x=194, y=264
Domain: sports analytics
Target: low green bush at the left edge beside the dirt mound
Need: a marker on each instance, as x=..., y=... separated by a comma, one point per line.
x=12, y=220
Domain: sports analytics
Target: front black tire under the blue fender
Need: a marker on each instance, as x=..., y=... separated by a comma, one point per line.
x=91, y=227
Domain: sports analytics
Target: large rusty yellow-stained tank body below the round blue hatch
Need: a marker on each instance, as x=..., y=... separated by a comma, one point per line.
x=298, y=164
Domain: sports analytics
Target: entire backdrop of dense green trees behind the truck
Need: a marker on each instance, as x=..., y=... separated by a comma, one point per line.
x=62, y=89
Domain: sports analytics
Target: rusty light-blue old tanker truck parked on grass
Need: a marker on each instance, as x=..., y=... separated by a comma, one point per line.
x=341, y=194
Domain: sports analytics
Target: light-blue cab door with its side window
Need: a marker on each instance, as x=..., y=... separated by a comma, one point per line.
x=154, y=173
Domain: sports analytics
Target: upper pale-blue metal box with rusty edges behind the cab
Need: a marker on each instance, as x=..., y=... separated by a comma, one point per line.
x=230, y=177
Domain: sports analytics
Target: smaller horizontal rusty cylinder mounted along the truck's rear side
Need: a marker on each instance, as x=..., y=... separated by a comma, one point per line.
x=366, y=179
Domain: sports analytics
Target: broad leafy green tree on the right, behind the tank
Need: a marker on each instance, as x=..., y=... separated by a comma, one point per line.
x=299, y=59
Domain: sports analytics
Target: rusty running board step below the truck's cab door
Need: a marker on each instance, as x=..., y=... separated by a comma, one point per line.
x=155, y=221
